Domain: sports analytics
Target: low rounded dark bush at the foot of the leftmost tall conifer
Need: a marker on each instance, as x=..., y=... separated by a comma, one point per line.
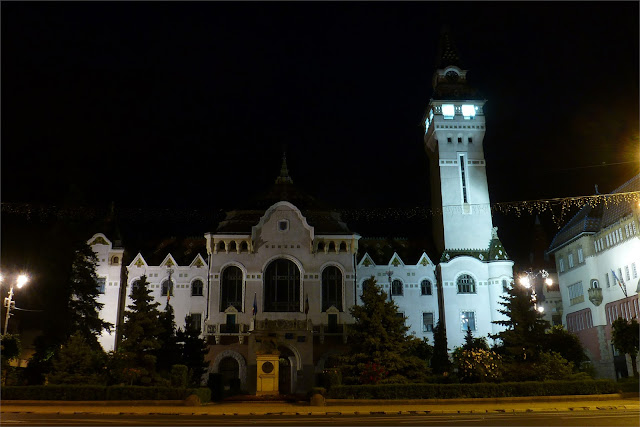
x=77, y=362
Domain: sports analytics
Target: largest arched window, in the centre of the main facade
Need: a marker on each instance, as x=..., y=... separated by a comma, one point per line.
x=282, y=286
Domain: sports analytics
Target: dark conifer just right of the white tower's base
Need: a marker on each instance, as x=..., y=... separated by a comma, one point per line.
x=524, y=336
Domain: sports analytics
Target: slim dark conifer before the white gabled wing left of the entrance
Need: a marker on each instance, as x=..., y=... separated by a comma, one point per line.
x=141, y=330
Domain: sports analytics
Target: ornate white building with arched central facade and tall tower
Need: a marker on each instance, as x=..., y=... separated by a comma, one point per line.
x=301, y=267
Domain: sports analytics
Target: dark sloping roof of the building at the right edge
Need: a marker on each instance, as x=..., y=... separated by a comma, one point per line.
x=593, y=219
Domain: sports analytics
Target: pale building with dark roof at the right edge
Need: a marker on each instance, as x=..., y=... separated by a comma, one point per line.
x=597, y=257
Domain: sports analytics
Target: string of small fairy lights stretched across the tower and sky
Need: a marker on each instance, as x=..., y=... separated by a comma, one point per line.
x=557, y=208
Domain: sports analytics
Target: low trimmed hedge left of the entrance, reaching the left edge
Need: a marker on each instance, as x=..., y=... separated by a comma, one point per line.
x=93, y=392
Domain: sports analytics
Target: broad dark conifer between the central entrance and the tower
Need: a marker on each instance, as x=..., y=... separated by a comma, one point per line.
x=379, y=340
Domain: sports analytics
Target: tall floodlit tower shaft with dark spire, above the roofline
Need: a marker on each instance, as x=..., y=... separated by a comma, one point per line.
x=454, y=133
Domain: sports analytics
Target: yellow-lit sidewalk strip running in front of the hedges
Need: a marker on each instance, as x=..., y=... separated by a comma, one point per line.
x=334, y=407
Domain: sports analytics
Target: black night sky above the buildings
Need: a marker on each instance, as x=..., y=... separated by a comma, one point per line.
x=189, y=105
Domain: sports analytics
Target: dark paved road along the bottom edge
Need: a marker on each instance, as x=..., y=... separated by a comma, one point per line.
x=611, y=417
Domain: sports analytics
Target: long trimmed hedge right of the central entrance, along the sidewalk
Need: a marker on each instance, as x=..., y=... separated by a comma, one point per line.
x=452, y=391
